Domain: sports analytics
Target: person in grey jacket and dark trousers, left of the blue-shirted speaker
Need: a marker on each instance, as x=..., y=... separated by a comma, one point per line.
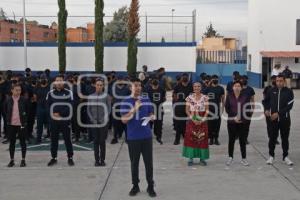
x=98, y=110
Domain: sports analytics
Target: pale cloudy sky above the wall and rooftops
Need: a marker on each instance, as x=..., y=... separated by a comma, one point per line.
x=228, y=16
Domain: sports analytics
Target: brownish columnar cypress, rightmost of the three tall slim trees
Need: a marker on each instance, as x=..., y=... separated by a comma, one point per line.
x=133, y=30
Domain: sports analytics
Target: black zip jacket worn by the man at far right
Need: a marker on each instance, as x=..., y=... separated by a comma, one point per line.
x=279, y=101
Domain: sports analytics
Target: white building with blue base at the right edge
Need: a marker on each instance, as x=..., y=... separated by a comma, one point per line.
x=273, y=37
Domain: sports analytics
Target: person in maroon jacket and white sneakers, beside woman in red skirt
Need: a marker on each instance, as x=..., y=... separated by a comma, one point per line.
x=236, y=123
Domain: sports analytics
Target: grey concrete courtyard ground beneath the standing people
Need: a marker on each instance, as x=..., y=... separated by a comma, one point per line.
x=174, y=179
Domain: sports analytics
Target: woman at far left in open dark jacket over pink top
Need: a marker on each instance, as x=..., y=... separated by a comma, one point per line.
x=16, y=109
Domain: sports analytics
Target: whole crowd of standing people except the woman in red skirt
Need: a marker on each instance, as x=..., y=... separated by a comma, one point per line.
x=86, y=108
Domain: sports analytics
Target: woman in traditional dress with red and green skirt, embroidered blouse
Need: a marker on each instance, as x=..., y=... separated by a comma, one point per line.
x=196, y=134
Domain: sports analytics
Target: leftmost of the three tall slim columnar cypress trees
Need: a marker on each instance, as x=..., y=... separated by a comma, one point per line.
x=62, y=26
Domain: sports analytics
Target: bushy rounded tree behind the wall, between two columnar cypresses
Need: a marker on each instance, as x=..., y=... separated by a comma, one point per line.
x=116, y=30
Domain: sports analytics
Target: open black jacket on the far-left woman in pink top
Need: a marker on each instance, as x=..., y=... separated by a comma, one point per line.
x=23, y=110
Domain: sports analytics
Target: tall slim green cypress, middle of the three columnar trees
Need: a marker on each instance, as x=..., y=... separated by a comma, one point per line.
x=99, y=46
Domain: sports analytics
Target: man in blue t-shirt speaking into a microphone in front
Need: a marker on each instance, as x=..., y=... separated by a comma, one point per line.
x=139, y=136
